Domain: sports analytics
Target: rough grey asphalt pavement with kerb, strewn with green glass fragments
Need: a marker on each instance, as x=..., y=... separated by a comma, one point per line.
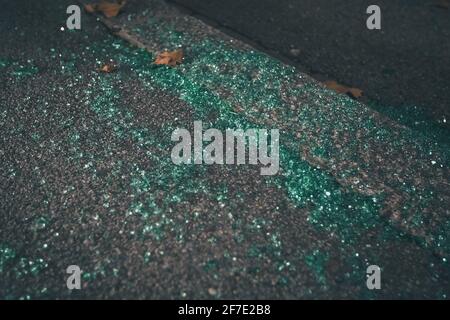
x=87, y=179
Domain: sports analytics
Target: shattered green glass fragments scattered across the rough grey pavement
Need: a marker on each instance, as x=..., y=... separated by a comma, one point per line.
x=231, y=88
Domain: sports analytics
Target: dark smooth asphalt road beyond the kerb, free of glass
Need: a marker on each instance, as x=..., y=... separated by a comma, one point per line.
x=405, y=65
